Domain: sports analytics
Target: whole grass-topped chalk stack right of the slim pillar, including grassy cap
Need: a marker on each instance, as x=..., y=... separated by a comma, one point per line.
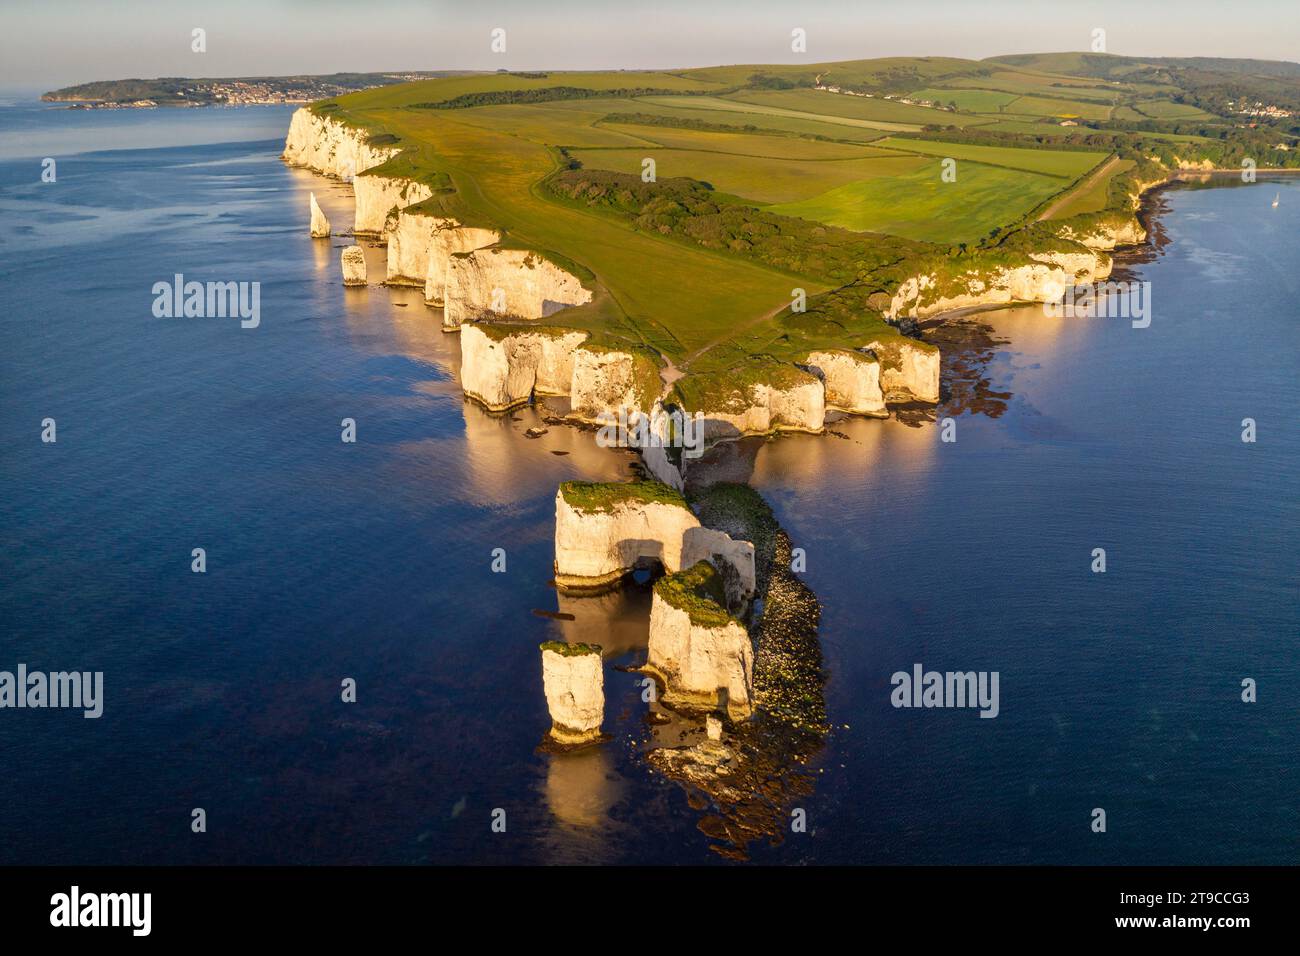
x=701, y=654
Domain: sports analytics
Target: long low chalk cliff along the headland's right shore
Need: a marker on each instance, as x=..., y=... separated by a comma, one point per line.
x=1045, y=280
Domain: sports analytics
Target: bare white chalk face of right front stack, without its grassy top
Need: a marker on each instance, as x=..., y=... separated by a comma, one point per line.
x=703, y=665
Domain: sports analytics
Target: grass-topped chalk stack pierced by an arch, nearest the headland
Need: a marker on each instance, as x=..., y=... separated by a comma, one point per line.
x=605, y=531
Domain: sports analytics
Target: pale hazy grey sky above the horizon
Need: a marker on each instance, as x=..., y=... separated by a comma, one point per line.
x=54, y=44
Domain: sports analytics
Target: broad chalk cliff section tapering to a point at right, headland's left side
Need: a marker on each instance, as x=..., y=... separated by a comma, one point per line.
x=508, y=283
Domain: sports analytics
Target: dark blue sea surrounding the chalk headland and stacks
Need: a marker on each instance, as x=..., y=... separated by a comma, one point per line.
x=374, y=561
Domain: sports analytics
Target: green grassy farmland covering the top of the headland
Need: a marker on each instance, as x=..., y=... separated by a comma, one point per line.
x=765, y=184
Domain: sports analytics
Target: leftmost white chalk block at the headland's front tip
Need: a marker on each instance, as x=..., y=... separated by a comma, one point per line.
x=504, y=366
